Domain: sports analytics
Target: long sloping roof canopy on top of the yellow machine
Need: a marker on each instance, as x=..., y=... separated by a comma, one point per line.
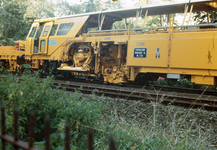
x=205, y=5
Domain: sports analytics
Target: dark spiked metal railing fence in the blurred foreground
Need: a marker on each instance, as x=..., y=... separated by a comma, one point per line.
x=14, y=140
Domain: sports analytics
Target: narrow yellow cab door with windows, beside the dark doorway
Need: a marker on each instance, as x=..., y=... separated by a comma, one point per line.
x=44, y=38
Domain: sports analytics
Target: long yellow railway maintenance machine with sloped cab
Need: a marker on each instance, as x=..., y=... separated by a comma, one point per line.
x=87, y=45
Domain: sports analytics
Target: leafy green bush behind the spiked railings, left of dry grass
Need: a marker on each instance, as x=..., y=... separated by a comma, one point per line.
x=29, y=94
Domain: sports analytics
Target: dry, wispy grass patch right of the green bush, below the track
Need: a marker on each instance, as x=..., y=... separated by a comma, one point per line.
x=155, y=126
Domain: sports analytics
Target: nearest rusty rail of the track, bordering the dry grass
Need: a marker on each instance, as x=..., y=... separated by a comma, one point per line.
x=145, y=96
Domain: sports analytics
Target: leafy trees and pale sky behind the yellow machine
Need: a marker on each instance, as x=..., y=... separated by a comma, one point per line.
x=16, y=16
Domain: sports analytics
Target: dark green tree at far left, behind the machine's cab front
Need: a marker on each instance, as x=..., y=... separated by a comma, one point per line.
x=12, y=24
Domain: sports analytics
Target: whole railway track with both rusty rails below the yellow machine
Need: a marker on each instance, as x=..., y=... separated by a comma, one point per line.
x=142, y=93
